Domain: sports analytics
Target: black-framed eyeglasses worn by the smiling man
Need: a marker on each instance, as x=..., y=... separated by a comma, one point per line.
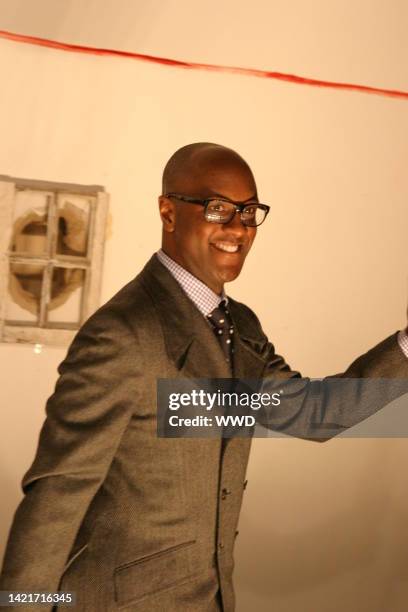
x=220, y=210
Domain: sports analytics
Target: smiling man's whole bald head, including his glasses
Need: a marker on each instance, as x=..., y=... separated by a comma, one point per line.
x=210, y=177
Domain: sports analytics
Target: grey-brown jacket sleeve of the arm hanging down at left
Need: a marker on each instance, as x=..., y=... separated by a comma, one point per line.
x=86, y=417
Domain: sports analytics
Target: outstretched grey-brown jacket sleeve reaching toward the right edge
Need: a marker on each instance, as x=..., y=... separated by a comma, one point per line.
x=321, y=409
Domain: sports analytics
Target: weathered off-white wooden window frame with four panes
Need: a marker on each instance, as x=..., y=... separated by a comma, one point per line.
x=51, y=333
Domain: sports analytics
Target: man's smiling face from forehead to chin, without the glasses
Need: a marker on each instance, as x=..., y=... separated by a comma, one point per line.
x=212, y=252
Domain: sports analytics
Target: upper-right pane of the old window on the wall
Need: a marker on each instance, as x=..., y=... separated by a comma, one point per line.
x=74, y=214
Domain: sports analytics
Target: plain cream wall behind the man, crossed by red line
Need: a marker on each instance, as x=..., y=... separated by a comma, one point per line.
x=323, y=527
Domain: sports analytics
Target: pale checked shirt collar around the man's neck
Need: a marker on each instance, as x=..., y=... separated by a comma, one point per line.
x=204, y=298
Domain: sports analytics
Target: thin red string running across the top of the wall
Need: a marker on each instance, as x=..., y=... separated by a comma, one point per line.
x=252, y=72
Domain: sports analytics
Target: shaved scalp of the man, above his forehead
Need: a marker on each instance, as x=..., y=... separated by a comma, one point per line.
x=190, y=166
